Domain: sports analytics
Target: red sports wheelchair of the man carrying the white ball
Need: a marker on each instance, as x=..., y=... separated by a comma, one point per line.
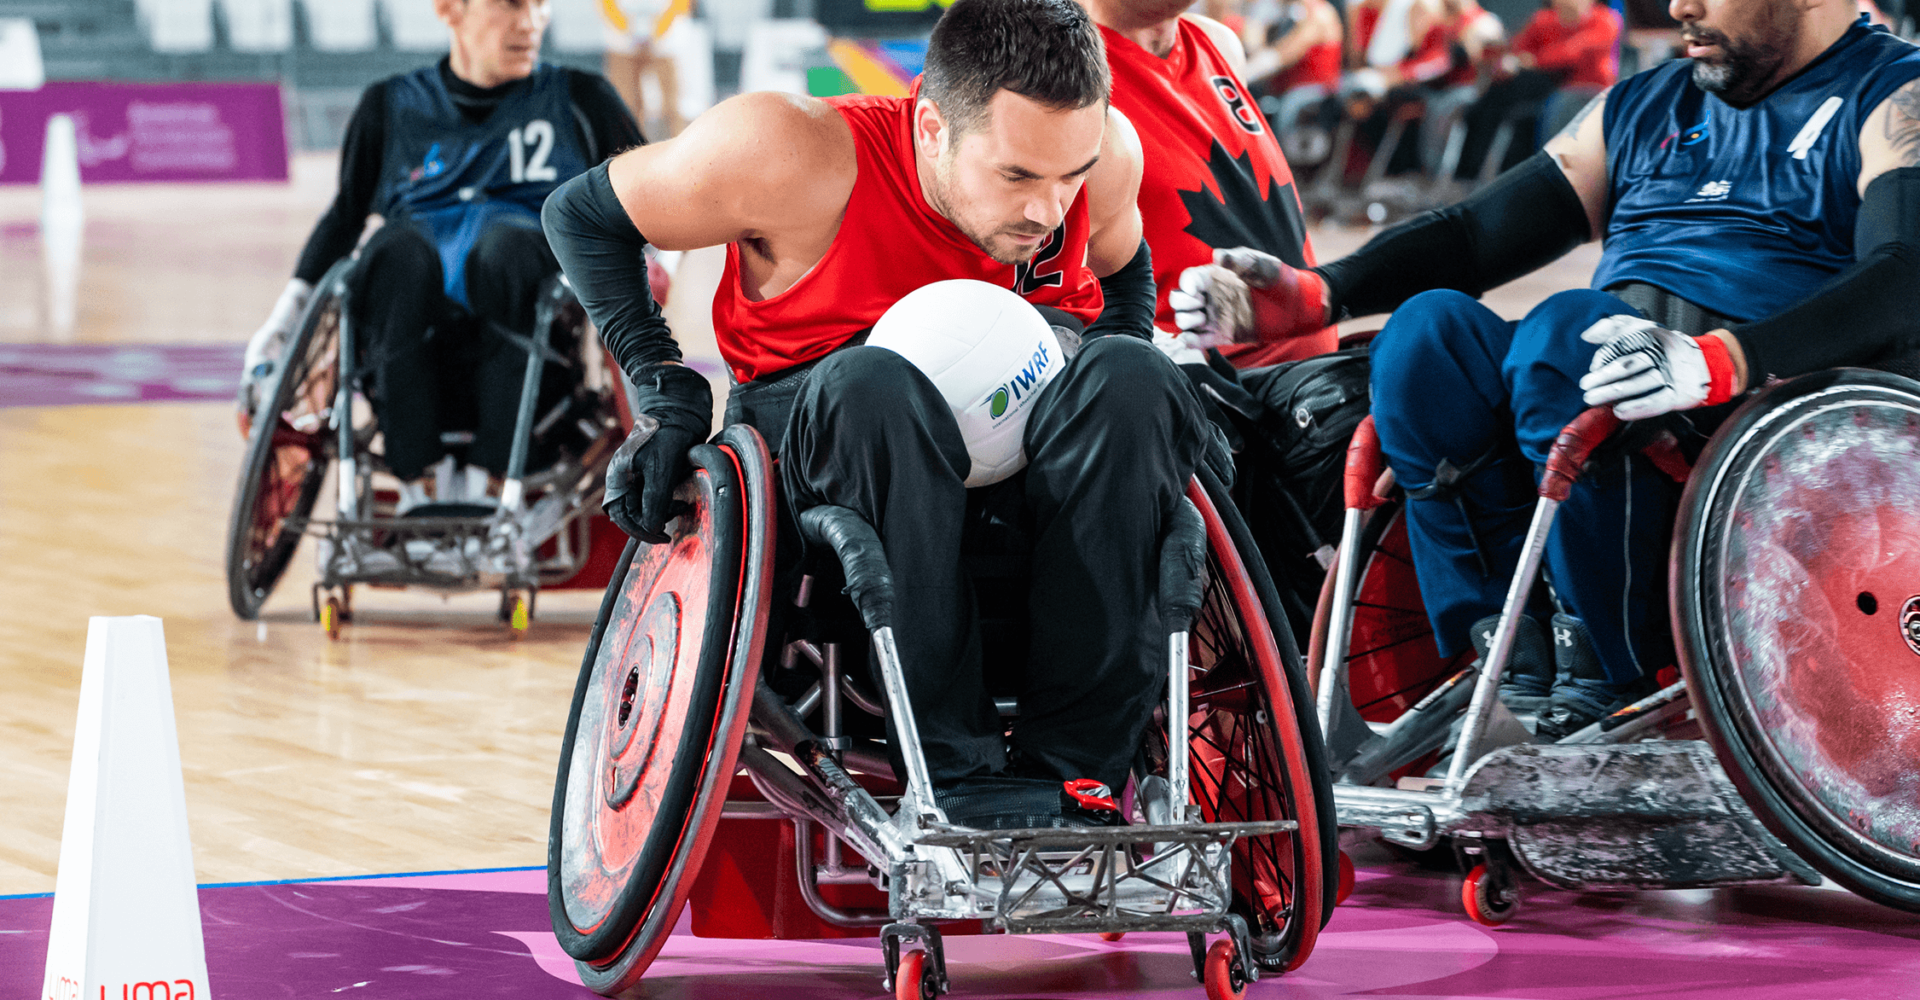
x=717, y=751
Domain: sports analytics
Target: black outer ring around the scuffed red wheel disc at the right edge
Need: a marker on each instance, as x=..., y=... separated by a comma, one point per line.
x=1767, y=788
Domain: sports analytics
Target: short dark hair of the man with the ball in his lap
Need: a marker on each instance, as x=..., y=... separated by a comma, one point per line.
x=1045, y=51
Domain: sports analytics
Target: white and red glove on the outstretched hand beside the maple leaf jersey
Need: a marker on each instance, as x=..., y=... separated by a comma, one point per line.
x=1247, y=297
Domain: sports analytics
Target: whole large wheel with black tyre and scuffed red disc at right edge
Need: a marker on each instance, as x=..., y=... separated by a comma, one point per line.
x=1796, y=590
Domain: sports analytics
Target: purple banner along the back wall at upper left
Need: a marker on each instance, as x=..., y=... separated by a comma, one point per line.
x=151, y=131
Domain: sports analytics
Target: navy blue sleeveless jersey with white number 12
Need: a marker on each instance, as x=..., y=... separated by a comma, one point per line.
x=456, y=178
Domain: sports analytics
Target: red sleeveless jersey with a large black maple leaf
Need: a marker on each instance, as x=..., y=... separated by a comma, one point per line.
x=1214, y=174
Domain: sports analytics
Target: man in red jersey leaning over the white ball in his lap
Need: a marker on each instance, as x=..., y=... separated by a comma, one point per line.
x=1007, y=168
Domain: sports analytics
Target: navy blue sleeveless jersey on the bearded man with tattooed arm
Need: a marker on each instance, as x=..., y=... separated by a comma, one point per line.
x=1744, y=212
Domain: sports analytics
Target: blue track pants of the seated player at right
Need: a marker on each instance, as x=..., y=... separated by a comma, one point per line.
x=1454, y=381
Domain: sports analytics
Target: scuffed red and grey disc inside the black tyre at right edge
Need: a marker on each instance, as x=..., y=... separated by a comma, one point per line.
x=1819, y=561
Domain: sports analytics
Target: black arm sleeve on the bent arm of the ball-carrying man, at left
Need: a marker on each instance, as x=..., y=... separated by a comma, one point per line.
x=604, y=256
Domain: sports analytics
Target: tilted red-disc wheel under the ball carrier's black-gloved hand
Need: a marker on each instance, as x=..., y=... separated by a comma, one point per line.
x=660, y=715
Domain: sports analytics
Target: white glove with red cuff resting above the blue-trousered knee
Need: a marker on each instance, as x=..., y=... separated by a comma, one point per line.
x=1644, y=369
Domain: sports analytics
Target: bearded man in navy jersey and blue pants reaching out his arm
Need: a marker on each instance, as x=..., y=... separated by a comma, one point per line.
x=1760, y=204
